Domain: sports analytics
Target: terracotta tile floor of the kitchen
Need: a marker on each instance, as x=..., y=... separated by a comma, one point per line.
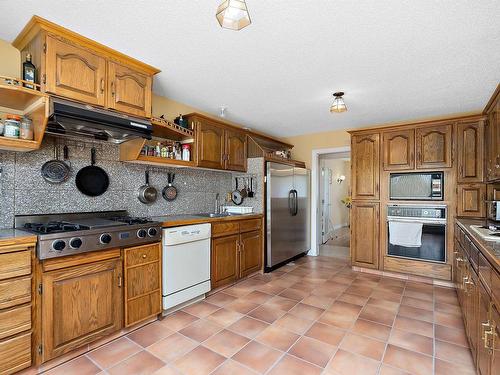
x=316, y=316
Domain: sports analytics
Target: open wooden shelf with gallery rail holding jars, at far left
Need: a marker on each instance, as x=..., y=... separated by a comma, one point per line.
x=23, y=101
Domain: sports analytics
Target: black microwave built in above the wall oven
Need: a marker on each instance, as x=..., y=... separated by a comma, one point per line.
x=423, y=186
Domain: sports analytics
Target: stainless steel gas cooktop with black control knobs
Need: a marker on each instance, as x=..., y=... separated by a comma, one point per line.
x=74, y=233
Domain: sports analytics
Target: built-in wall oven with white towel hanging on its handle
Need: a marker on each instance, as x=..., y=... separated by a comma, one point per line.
x=417, y=232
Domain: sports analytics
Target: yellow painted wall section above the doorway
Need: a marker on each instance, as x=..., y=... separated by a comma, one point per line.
x=304, y=144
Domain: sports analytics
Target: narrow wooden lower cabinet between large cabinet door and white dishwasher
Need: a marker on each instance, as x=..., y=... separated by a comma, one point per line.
x=142, y=282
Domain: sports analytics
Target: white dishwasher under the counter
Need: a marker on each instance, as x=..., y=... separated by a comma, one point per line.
x=185, y=264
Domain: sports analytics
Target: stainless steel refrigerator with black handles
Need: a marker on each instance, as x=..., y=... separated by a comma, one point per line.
x=288, y=213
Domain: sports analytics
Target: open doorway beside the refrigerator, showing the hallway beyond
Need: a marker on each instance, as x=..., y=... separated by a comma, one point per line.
x=334, y=204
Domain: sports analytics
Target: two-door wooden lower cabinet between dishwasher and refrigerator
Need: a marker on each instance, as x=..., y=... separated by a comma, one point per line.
x=236, y=255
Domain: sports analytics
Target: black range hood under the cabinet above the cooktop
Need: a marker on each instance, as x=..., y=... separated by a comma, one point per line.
x=70, y=119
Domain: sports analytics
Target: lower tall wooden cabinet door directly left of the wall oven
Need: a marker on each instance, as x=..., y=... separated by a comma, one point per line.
x=365, y=232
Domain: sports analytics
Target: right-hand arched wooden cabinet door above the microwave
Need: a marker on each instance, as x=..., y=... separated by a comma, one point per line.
x=434, y=146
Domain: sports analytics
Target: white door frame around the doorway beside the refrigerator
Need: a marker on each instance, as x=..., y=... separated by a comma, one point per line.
x=315, y=196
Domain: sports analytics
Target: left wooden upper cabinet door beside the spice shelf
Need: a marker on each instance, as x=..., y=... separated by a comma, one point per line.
x=210, y=140
